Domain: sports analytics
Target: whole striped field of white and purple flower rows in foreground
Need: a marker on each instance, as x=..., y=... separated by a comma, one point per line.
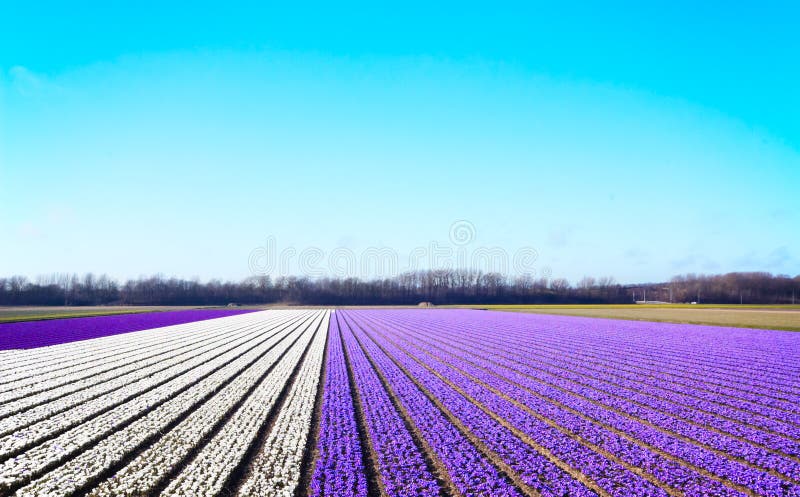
x=406, y=403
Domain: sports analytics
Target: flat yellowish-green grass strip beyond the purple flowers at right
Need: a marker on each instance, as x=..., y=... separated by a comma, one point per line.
x=775, y=317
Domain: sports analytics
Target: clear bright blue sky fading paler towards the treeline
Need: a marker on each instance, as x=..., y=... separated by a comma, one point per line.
x=638, y=141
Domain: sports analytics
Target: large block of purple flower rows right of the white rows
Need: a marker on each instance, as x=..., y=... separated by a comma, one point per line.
x=561, y=406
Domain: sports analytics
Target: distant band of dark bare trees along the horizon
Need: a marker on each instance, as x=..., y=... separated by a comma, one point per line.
x=435, y=286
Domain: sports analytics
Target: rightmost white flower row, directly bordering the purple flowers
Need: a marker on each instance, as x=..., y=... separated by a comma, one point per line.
x=276, y=468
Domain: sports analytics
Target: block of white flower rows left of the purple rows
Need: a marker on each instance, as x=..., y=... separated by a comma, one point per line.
x=226, y=402
